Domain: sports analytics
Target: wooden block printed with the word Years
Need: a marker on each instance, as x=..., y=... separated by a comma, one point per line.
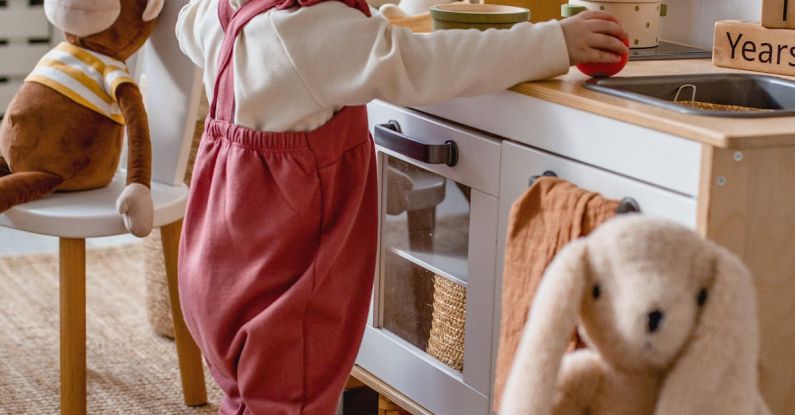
x=749, y=46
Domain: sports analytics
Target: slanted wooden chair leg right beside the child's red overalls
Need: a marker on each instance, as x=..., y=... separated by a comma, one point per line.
x=190, y=358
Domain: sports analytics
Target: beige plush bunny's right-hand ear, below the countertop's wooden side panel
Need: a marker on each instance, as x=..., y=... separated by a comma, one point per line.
x=717, y=372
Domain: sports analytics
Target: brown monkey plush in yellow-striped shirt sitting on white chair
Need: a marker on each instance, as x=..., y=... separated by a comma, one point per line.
x=64, y=129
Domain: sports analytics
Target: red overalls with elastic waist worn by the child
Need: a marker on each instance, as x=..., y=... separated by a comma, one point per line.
x=278, y=250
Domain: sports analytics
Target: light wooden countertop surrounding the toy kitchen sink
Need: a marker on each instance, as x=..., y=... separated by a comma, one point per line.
x=717, y=131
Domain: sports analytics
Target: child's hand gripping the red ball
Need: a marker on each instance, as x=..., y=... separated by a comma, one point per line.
x=594, y=37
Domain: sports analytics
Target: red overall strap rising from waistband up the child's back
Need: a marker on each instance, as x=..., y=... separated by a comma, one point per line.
x=223, y=105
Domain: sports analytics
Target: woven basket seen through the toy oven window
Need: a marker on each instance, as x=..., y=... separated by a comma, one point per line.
x=446, y=342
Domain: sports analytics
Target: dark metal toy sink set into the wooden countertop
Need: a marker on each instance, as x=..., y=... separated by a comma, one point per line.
x=771, y=96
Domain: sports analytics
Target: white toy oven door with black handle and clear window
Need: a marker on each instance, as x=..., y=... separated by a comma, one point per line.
x=431, y=326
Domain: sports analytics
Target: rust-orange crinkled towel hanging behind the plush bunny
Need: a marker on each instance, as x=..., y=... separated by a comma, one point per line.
x=549, y=215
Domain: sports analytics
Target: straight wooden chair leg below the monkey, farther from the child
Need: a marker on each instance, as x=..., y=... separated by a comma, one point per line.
x=73, y=326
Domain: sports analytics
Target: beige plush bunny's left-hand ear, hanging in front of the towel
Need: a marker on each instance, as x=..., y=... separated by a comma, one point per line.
x=531, y=384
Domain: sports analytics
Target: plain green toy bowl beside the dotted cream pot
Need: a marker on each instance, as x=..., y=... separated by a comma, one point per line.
x=477, y=16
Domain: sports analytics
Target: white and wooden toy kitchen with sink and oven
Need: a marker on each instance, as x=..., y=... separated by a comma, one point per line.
x=670, y=133
